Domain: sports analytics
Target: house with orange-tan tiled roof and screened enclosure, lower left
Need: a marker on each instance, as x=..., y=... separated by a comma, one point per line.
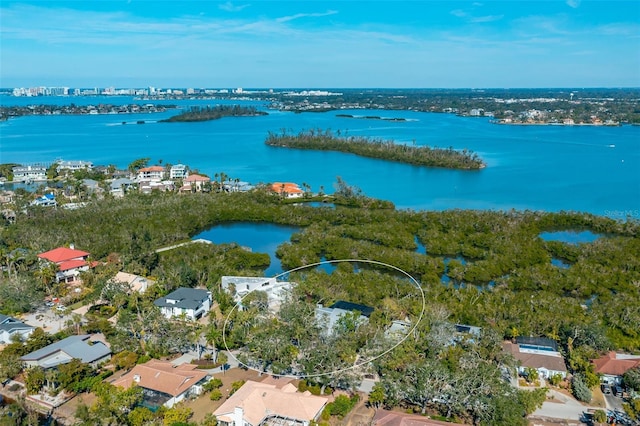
x=164, y=383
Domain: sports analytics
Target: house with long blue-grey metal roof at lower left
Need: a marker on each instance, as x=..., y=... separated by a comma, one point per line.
x=90, y=349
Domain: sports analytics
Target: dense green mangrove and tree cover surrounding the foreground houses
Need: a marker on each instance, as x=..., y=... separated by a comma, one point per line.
x=501, y=276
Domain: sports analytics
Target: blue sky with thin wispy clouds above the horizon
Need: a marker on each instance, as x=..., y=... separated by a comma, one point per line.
x=320, y=44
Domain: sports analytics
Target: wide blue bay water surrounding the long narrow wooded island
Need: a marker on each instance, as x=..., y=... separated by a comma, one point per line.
x=549, y=168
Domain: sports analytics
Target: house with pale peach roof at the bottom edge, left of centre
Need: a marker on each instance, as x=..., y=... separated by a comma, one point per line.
x=257, y=403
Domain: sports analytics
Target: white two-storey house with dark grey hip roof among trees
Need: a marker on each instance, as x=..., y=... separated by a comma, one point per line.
x=193, y=303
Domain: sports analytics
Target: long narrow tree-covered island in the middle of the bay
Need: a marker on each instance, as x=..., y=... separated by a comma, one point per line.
x=377, y=148
